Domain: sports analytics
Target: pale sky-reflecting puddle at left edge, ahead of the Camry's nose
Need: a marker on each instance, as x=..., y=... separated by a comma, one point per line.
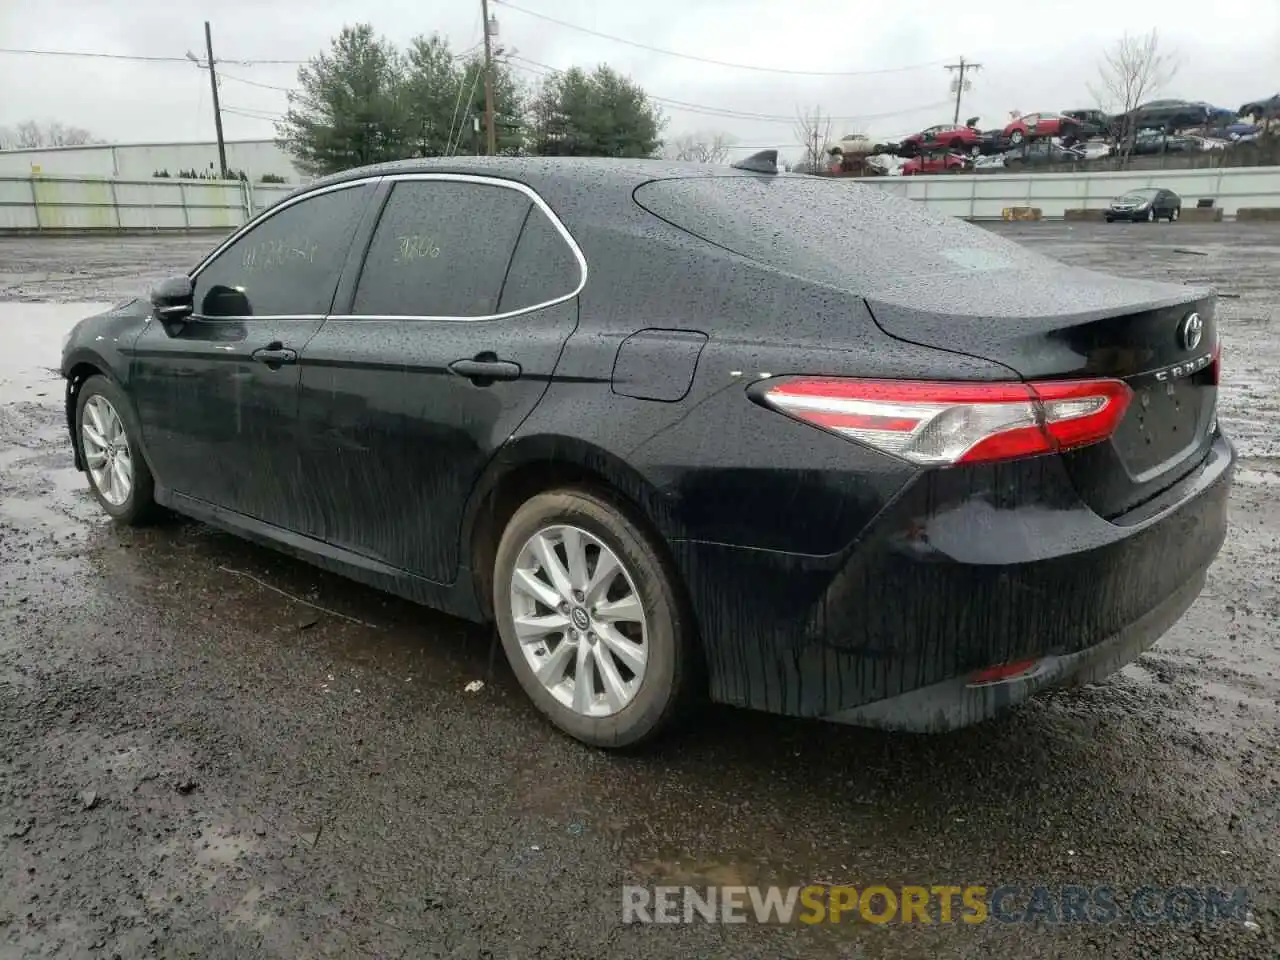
x=33, y=335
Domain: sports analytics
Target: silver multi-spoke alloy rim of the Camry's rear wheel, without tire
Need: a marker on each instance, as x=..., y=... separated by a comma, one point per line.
x=579, y=620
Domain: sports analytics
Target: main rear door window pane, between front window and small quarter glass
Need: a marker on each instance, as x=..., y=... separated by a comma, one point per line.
x=441, y=249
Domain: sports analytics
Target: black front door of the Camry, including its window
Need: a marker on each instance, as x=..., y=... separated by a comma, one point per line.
x=217, y=395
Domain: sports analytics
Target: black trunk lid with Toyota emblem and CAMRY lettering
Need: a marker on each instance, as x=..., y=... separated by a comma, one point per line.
x=1158, y=339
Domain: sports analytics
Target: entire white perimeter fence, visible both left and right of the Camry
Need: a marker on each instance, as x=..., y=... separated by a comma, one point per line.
x=85, y=204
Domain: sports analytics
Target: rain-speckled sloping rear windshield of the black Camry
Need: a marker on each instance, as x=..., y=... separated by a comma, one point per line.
x=843, y=234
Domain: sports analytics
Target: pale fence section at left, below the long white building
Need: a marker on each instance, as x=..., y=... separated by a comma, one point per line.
x=86, y=204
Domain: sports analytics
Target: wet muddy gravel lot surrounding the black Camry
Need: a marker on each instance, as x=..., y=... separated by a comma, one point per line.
x=212, y=751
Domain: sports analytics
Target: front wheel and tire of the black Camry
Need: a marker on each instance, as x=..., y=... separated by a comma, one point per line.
x=109, y=415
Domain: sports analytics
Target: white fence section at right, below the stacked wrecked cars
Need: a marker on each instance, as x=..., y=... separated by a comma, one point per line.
x=984, y=196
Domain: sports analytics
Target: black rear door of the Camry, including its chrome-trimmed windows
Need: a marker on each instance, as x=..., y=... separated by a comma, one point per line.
x=464, y=304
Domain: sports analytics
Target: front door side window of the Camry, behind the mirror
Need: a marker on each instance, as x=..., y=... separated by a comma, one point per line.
x=289, y=266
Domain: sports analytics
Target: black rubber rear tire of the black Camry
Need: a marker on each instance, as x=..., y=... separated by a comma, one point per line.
x=666, y=687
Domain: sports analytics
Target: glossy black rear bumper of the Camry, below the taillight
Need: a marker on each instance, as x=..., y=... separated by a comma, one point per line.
x=967, y=569
